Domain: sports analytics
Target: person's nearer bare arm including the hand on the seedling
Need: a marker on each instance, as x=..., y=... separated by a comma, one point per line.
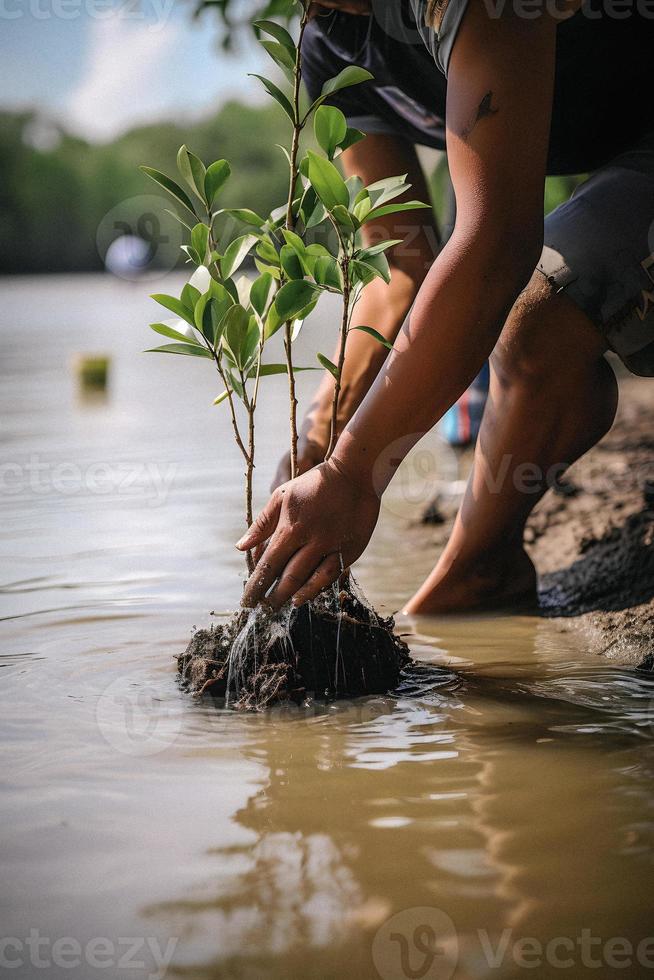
x=498, y=119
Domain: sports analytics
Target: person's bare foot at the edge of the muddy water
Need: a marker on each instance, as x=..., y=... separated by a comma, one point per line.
x=506, y=583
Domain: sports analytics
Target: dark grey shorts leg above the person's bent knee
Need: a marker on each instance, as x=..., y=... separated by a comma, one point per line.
x=599, y=250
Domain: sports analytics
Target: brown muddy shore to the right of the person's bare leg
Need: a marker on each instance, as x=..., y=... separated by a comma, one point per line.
x=593, y=541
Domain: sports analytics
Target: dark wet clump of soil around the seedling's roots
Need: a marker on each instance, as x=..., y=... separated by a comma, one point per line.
x=335, y=646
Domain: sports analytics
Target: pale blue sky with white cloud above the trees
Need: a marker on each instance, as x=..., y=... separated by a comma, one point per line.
x=101, y=66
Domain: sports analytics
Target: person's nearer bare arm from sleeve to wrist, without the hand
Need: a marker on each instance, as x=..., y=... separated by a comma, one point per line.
x=498, y=117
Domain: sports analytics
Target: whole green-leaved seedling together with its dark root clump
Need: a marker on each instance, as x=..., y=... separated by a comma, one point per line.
x=337, y=645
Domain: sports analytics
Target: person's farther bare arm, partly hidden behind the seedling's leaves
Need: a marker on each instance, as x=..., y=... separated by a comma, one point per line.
x=382, y=306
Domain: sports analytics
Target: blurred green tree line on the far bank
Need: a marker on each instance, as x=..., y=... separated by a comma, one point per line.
x=57, y=188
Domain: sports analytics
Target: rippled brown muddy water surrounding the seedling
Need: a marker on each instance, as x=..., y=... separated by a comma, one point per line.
x=494, y=819
